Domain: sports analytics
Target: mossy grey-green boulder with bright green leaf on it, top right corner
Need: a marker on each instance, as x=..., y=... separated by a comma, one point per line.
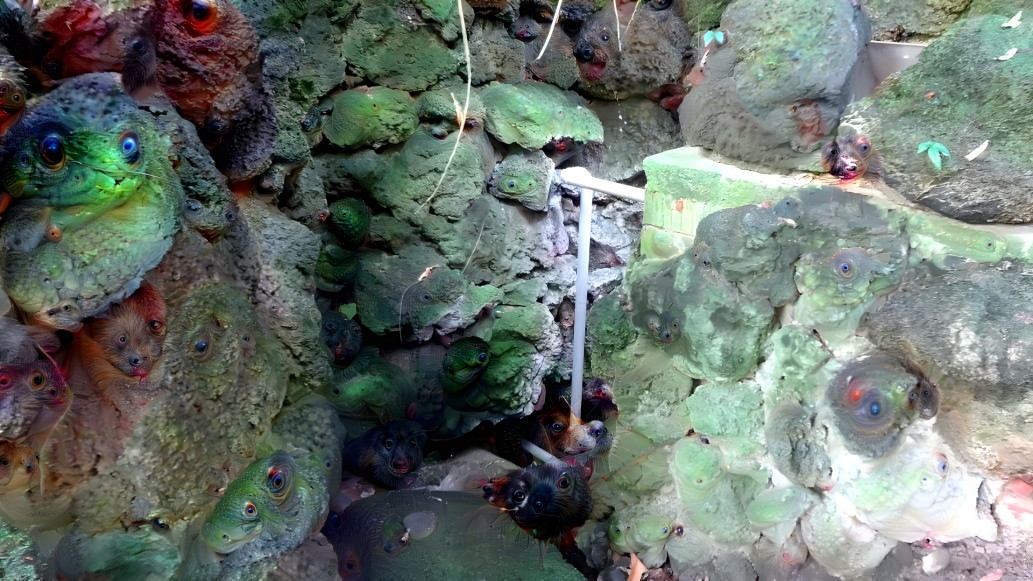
x=960, y=96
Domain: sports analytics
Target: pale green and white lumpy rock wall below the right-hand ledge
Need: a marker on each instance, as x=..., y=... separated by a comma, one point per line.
x=843, y=424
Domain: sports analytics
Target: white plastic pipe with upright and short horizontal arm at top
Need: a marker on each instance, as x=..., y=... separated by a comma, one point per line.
x=582, y=178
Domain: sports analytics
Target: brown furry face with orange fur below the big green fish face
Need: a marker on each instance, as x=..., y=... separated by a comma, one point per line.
x=132, y=343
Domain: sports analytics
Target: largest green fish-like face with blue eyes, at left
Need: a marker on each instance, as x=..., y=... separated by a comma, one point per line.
x=85, y=176
